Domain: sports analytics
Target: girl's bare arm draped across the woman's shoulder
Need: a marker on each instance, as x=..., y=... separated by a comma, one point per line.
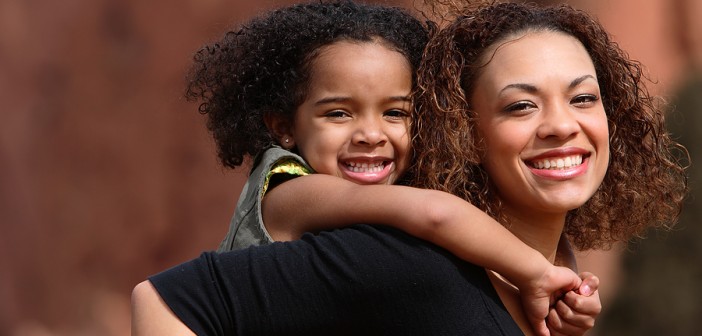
x=315, y=202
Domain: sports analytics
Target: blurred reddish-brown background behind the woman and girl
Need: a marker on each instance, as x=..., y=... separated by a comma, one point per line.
x=107, y=175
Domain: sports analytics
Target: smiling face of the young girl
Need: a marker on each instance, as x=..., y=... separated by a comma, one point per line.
x=354, y=123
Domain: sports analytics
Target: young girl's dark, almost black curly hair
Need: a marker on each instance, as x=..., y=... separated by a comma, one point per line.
x=264, y=66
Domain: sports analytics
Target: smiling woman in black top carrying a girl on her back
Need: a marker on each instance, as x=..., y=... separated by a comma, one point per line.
x=492, y=124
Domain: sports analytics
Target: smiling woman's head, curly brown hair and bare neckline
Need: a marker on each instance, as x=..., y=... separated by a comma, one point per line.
x=557, y=130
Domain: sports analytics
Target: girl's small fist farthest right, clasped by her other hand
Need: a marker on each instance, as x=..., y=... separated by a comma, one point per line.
x=575, y=313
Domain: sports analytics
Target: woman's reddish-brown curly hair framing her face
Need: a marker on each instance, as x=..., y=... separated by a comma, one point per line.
x=645, y=183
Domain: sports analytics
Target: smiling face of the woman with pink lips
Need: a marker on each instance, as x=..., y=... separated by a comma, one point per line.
x=541, y=119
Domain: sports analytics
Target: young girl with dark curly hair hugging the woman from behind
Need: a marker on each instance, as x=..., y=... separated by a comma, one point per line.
x=325, y=88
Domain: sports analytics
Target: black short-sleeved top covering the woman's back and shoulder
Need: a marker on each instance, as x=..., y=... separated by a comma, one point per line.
x=381, y=275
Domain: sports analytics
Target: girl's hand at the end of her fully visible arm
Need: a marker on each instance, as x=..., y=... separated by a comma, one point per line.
x=538, y=296
